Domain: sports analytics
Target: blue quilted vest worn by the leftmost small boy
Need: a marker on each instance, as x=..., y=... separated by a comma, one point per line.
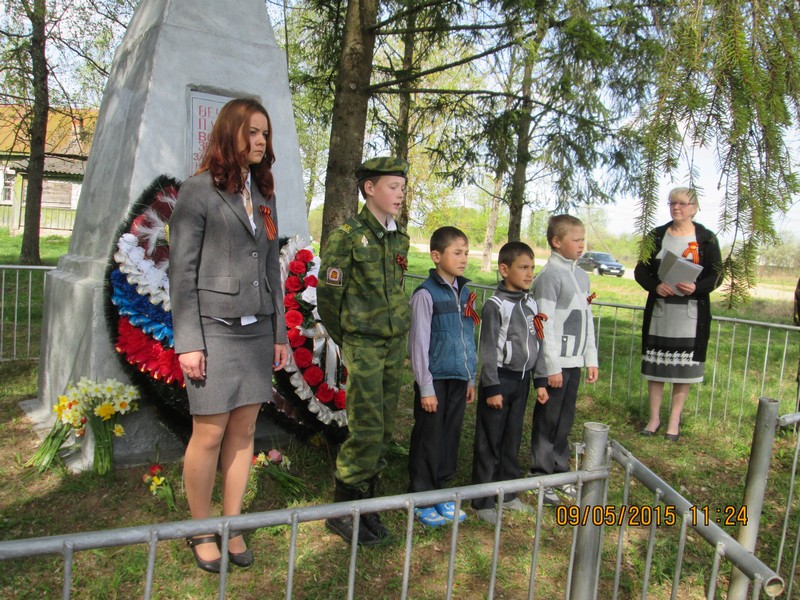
x=452, y=353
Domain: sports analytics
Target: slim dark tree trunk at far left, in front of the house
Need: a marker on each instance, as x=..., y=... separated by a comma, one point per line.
x=29, y=254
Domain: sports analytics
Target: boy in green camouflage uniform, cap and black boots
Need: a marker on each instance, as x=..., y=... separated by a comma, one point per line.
x=362, y=304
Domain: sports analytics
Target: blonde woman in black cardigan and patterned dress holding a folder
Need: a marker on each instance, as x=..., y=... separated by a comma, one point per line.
x=677, y=320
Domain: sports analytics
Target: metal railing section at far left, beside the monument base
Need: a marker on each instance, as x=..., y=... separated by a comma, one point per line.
x=21, y=310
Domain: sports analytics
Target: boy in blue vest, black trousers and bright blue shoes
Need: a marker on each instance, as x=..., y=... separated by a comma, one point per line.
x=443, y=358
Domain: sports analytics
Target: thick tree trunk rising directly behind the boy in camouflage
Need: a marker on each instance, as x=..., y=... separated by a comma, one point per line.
x=349, y=116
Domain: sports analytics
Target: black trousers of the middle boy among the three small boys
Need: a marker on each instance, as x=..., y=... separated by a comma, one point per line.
x=498, y=435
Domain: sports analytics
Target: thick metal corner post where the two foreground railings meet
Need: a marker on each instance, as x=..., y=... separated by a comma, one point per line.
x=583, y=583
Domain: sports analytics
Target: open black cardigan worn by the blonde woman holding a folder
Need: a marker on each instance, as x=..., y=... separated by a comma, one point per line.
x=646, y=275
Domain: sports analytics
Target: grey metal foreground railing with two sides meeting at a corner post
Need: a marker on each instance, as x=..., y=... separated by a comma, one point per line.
x=587, y=574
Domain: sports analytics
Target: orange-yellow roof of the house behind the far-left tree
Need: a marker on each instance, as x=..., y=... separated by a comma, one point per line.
x=69, y=131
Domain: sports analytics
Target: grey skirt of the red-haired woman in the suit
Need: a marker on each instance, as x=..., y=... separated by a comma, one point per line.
x=238, y=366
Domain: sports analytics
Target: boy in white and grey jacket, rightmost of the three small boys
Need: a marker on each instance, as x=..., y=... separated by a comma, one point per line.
x=563, y=293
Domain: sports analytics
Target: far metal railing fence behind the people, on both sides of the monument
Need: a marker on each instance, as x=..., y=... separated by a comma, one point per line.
x=746, y=359
